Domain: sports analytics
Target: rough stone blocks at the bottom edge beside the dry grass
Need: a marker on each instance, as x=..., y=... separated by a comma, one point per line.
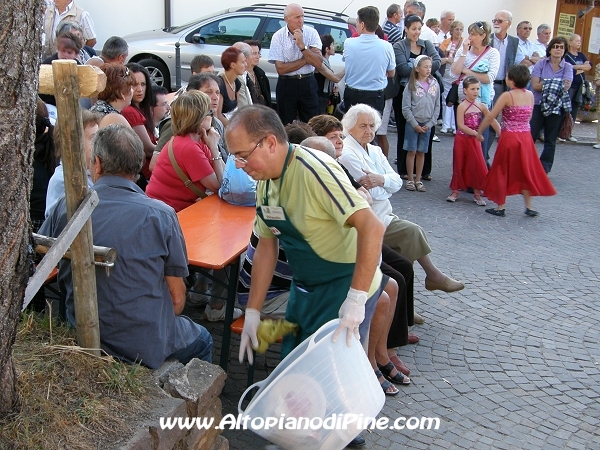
x=186, y=391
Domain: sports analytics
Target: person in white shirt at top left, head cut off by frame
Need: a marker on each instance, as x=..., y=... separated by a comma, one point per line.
x=66, y=10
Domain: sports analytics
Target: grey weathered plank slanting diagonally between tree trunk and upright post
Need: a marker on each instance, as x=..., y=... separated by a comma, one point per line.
x=61, y=246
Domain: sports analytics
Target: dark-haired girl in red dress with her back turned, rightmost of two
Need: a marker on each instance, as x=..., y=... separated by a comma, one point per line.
x=516, y=168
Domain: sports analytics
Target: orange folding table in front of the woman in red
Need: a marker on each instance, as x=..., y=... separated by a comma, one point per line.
x=216, y=234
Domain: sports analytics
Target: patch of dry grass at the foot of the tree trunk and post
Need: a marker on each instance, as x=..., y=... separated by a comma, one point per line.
x=70, y=399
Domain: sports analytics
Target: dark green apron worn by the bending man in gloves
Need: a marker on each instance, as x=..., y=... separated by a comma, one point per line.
x=319, y=287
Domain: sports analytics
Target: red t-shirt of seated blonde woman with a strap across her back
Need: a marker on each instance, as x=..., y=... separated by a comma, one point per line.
x=193, y=158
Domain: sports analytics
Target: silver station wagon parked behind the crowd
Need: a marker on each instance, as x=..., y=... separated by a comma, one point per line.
x=212, y=34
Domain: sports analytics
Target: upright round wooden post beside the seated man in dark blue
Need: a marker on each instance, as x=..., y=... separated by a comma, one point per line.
x=66, y=92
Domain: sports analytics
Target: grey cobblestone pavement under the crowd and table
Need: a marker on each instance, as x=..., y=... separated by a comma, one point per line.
x=512, y=361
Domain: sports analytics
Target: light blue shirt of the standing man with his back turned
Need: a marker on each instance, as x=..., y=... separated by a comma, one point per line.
x=367, y=59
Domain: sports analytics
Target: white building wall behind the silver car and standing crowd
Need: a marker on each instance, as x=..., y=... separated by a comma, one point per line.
x=119, y=17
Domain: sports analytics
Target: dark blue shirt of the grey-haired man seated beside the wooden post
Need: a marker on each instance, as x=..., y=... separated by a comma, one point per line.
x=135, y=309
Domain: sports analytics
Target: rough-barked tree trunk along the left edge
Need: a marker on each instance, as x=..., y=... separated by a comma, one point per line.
x=20, y=47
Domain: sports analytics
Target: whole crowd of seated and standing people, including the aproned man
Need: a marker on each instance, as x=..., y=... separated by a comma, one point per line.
x=325, y=227
